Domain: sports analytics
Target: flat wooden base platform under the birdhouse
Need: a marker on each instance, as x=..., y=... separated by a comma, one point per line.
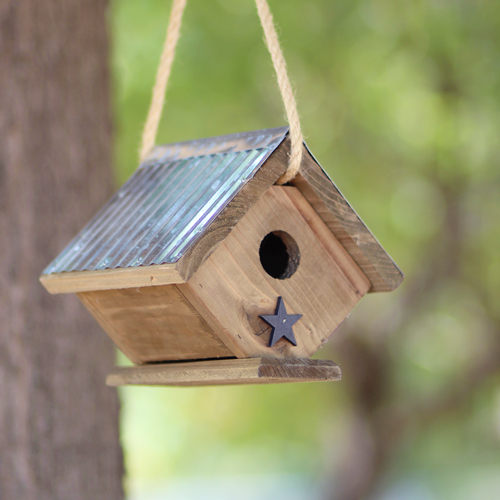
x=227, y=372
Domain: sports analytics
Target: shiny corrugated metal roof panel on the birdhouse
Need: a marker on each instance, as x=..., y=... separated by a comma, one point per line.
x=168, y=202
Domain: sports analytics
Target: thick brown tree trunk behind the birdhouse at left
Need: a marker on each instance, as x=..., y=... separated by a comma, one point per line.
x=58, y=421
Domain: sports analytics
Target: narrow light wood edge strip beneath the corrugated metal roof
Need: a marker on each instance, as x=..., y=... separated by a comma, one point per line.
x=111, y=279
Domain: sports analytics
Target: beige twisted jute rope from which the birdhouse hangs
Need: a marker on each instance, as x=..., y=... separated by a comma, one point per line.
x=273, y=45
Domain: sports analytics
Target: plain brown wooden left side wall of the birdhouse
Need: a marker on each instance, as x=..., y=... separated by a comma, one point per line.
x=152, y=324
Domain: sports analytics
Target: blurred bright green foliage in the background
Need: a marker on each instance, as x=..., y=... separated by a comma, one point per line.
x=400, y=103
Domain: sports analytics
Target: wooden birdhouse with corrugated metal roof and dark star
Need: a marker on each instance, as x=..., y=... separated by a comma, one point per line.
x=200, y=264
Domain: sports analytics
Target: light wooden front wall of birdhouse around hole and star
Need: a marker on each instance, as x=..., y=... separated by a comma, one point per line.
x=231, y=290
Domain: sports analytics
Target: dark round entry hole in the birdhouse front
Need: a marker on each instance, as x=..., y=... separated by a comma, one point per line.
x=279, y=255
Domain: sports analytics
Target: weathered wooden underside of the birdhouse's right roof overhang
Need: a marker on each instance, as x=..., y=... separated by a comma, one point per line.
x=346, y=225
